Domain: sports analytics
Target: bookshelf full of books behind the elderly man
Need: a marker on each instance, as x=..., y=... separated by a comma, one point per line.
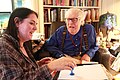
x=54, y=10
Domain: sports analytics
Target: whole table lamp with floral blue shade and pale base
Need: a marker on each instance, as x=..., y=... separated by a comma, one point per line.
x=107, y=22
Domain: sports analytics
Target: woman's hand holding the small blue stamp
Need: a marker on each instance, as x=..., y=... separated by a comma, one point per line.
x=62, y=63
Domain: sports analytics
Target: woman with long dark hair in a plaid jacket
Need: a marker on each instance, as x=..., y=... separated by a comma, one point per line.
x=16, y=60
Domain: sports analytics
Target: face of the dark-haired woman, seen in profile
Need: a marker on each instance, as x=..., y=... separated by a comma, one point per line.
x=27, y=27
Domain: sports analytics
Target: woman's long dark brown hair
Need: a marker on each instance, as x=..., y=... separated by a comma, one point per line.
x=21, y=13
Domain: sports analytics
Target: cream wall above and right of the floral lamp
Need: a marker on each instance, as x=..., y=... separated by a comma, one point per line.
x=112, y=6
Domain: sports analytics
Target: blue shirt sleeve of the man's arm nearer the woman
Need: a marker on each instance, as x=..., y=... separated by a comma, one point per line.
x=53, y=44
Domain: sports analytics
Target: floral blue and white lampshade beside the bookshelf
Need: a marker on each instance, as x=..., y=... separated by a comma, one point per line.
x=107, y=22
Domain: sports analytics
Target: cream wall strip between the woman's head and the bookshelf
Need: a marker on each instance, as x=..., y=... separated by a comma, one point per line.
x=36, y=6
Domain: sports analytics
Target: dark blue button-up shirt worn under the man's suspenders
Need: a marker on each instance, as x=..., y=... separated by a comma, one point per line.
x=54, y=43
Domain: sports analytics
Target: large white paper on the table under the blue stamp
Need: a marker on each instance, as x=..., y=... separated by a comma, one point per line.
x=85, y=72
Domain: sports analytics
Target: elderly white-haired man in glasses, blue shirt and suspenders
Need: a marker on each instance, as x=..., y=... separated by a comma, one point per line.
x=79, y=39
